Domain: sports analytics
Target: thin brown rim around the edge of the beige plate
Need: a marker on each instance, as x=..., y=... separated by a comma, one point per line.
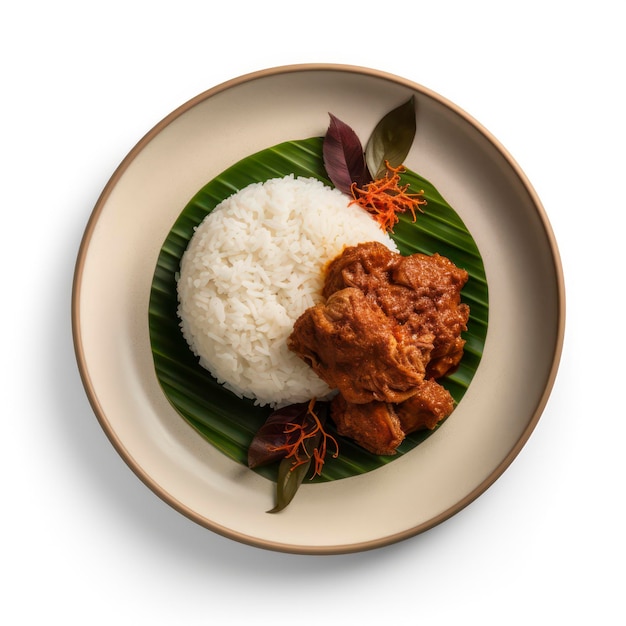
x=89, y=385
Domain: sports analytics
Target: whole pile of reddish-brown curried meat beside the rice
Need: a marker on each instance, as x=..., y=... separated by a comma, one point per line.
x=390, y=326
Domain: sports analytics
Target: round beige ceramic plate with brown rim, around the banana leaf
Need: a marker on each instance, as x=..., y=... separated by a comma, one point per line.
x=114, y=274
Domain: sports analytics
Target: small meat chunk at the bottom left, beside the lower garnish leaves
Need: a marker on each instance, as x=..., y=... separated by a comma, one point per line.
x=374, y=426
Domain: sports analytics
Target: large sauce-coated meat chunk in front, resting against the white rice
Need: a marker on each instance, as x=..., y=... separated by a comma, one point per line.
x=354, y=347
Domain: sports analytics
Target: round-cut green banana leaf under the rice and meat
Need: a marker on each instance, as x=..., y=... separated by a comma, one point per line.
x=229, y=423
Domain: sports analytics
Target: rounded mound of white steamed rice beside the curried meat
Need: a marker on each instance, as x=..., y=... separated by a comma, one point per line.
x=251, y=268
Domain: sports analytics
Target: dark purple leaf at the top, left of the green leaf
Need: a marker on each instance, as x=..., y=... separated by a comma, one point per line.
x=344, y=159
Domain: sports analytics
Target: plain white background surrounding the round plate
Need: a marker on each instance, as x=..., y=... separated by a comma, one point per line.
x=83, y=540
